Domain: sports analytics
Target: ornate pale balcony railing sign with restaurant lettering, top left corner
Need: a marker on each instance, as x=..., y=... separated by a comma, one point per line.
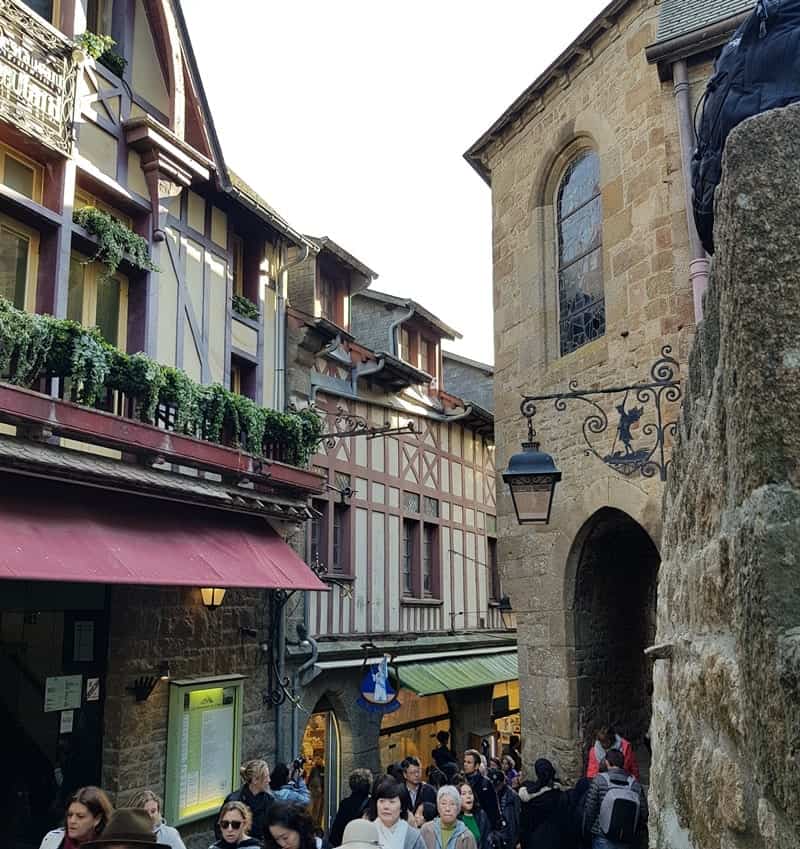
x=37, y=77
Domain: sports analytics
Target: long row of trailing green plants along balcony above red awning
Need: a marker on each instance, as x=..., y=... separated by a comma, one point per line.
x=36, y=346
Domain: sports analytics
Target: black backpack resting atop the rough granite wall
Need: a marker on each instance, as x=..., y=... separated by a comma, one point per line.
x=758, y=69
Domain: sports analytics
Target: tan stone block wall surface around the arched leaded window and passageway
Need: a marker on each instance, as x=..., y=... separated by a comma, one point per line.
x=615, y=103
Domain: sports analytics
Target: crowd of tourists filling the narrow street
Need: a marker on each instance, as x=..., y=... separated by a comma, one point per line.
x=472, y=802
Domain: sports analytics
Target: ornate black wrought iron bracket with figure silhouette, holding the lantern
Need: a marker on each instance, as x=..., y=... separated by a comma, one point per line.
x=629, y=453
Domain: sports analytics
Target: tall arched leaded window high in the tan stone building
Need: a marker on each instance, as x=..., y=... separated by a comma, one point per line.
x=581, y=304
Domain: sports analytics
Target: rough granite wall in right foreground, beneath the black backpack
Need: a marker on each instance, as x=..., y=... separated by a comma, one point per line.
x=726, y=728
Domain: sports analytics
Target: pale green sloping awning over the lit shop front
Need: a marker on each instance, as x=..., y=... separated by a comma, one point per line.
x=440, y=676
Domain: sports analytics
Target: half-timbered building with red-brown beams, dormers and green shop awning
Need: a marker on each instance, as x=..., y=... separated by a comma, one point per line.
x=406, y=534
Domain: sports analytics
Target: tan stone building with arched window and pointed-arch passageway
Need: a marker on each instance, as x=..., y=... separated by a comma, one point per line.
x=597, y=267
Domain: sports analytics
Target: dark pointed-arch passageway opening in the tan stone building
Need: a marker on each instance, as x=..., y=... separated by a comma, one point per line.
x=615, y=566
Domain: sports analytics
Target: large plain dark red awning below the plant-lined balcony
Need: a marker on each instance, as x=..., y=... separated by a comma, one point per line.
x=54, y=532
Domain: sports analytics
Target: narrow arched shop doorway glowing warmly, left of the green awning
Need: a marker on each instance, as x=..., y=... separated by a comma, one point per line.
x=321, y=748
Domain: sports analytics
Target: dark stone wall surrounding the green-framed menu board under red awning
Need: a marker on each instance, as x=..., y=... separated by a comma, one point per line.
x=149, y=626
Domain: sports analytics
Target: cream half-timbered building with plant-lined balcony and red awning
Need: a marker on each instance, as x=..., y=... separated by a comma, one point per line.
x=140, y=466
